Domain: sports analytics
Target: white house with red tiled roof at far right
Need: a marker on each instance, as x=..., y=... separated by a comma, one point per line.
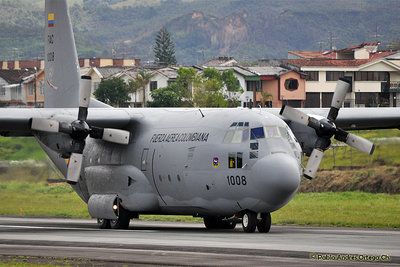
x=375, y=78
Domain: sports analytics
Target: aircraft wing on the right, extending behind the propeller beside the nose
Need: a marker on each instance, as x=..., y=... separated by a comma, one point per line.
x=358, y=118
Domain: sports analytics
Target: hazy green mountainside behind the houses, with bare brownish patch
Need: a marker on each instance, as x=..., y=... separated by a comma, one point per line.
x=244, y=29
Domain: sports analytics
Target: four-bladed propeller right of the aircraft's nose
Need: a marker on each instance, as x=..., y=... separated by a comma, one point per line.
x=325, y=128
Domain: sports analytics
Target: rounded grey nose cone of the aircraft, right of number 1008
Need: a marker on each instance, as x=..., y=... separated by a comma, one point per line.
x=278, y=176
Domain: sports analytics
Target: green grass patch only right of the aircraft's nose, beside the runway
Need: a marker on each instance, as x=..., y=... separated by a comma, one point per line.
x=347, y=209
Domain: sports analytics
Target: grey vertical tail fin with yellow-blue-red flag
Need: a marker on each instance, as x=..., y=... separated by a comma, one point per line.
x=61, y=60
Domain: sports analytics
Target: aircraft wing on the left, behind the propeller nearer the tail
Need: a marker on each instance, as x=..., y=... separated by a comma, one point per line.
x=16, y=121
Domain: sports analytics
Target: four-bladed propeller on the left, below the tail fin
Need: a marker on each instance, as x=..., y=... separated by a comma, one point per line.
x=79, y=130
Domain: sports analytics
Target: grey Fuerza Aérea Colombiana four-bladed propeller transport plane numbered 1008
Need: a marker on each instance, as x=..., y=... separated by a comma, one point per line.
x=225, y=165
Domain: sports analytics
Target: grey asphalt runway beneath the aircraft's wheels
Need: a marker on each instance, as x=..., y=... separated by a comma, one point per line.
x=190, y=244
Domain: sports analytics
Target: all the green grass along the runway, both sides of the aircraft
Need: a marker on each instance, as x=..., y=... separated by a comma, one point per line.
x=347, y=209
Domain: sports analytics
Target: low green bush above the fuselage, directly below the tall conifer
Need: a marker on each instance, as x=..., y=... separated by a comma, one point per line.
x=166, y=97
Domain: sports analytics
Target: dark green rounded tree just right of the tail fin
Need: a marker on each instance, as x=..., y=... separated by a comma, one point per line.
x=113, y=91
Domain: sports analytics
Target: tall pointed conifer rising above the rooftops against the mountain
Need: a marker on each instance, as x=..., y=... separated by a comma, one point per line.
x=164, y=49
